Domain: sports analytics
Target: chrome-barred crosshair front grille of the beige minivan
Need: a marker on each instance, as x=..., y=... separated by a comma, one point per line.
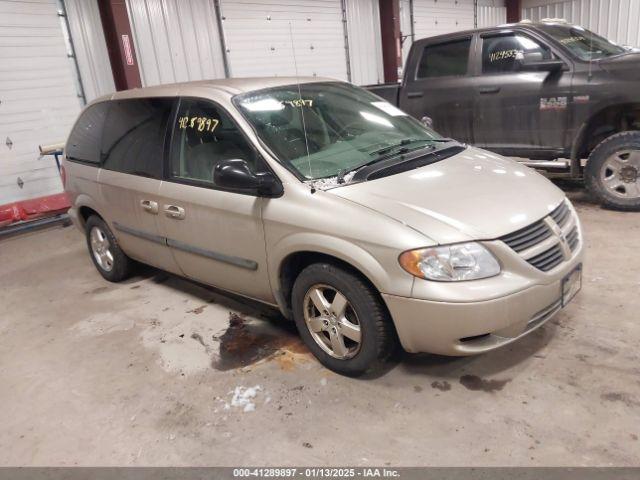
x=545, y=244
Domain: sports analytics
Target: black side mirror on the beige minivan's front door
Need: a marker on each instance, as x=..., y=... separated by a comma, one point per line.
x=236, y=174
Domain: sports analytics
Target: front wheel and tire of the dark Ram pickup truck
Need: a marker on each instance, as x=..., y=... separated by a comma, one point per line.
x=612, y=173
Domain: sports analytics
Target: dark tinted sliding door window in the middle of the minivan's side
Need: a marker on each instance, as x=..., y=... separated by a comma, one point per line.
x=133, y=140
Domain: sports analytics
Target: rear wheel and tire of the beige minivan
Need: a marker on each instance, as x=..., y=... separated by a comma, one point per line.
x=106, y=254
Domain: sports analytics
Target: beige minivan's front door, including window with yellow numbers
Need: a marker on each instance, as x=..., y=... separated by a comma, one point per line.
x=216, y=235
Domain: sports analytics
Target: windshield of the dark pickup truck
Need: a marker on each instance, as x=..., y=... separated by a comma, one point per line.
x=583, y=43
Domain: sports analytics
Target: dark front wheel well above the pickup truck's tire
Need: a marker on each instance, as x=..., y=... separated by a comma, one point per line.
x=611, y=120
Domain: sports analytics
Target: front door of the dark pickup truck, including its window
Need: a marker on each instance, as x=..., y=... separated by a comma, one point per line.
x=520, y=110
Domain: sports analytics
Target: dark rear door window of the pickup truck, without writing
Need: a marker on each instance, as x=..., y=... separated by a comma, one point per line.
x=445, y=60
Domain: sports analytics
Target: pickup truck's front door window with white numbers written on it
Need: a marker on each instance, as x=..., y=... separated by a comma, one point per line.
x=505, y=53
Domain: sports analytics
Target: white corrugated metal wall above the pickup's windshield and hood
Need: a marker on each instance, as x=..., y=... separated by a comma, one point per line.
x=617, y=20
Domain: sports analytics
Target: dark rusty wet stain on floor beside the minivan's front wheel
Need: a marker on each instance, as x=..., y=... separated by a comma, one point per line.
x=244, y=344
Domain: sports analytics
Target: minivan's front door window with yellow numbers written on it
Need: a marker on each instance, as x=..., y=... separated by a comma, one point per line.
x=204, y=135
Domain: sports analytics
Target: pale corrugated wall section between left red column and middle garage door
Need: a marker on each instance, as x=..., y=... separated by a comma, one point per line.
x=176, y=40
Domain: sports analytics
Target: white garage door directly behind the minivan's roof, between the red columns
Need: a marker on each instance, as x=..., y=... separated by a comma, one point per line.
x=258, y=36
